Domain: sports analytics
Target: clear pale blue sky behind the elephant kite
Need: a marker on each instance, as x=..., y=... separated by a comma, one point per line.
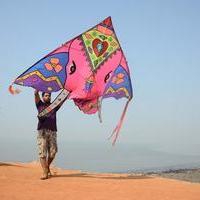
x=161, y=41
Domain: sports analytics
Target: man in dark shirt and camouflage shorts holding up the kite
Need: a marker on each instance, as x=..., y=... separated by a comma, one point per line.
x=47, y=133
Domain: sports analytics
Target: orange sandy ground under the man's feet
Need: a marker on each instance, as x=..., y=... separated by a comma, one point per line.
x=21, y=181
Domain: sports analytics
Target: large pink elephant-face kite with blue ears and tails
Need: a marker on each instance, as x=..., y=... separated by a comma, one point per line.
x=87, y=69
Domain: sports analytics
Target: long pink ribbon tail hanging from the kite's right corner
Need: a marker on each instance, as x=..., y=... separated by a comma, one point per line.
x=116, y=131
